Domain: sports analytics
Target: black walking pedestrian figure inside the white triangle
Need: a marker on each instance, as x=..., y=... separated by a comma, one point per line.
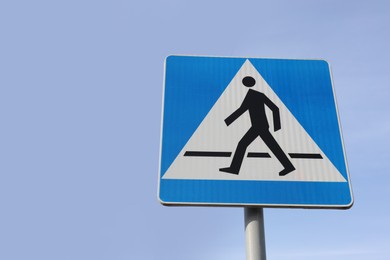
x=255, y=103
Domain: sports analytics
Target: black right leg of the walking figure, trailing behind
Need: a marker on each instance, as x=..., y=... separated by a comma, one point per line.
x=278, y=152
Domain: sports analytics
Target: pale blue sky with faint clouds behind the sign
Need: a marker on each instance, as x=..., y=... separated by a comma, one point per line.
x=80, y=110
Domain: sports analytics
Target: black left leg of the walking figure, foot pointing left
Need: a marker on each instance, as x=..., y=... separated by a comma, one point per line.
x=239, y=154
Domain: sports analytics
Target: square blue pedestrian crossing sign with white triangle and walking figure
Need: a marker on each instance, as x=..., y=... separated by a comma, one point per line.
x=260, y=132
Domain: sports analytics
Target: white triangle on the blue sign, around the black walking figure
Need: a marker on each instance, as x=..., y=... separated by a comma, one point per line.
x=212, y=135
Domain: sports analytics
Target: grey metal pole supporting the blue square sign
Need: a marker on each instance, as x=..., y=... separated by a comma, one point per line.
x=254, y=233
